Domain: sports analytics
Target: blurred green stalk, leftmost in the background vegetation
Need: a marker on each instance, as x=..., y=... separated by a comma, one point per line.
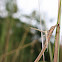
x=4, y=31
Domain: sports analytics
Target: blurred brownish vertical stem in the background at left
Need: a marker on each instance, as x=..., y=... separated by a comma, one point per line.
x=7, y=38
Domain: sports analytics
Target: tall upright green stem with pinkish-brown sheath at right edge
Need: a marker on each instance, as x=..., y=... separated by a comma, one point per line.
x=56, y=53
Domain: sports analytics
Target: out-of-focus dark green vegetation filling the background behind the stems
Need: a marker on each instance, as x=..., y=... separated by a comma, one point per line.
x=18, y=42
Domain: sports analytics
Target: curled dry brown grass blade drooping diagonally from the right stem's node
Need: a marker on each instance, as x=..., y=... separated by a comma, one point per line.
x=45, y=46
